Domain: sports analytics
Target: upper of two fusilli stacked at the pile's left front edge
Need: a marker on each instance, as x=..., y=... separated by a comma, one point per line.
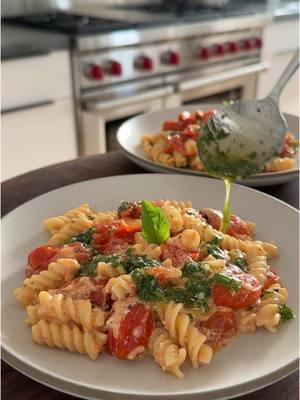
x=65, y=310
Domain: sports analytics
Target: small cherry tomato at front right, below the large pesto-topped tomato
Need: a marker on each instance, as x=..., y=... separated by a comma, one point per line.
x=221, y=326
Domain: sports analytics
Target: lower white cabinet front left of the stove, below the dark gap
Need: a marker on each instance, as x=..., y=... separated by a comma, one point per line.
x=37, y=137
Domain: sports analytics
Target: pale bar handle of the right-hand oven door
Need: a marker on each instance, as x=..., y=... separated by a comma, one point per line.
x=235, y=73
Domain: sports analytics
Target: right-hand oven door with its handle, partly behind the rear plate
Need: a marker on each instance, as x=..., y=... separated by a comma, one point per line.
x=217, y=86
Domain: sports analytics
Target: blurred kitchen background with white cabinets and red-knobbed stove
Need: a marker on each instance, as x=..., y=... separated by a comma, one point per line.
x=73, y=71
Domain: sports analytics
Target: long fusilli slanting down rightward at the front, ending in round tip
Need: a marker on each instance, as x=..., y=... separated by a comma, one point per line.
x=177, y=322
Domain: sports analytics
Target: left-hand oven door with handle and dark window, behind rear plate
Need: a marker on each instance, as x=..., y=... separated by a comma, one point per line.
x=104, y=113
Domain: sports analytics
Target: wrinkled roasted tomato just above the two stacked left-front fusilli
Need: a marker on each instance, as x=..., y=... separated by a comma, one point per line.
x=84, y=287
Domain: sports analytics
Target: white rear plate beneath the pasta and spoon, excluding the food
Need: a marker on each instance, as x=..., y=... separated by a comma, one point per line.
x=131, y=132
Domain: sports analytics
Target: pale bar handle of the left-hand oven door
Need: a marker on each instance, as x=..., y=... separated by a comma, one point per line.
x=124, y=101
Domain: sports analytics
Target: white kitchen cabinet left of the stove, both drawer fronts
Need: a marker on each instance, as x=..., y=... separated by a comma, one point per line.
x=38, y=123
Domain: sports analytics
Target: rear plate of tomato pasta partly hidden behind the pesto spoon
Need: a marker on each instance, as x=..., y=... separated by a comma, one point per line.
x=156, y=142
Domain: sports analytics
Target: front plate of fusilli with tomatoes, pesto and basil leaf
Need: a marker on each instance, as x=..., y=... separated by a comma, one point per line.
x=96, y=237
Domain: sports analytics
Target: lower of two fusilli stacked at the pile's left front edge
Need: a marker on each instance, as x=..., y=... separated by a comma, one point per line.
x=69, y=337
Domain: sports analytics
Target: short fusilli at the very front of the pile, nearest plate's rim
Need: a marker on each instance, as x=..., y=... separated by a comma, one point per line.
x=166, y=353
